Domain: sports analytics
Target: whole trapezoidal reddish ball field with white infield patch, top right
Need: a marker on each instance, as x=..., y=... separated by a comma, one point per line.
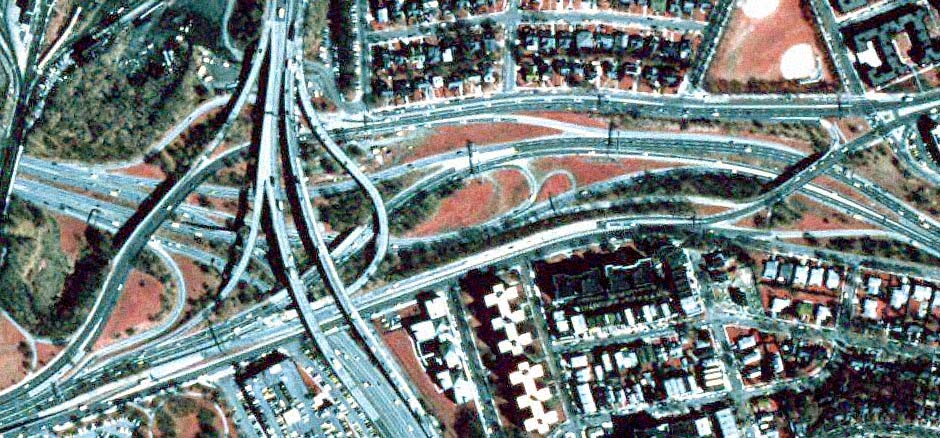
x=752, y=52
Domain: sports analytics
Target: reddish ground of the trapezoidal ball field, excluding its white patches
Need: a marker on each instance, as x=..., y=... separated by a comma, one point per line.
x=751, y=49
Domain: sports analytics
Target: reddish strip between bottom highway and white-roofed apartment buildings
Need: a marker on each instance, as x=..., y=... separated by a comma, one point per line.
x=444, y=409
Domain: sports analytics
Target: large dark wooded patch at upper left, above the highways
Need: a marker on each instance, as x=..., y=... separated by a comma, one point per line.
x=119, y=98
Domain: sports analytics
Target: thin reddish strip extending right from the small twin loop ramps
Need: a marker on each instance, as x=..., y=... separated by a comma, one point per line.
x=589, y=170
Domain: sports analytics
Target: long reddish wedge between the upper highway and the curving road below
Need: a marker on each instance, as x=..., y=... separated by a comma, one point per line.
x=449, y=138
